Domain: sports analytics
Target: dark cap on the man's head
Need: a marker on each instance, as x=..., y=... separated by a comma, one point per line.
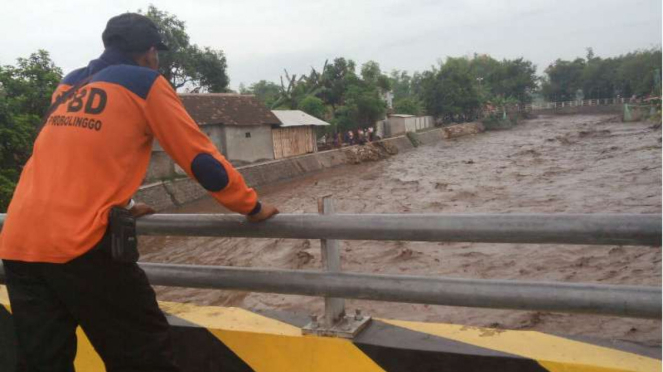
x=132, y=32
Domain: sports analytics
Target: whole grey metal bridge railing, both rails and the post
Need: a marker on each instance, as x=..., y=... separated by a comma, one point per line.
x=608, y=229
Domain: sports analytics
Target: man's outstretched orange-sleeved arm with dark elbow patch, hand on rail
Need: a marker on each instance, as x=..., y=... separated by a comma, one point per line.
x=181, y=138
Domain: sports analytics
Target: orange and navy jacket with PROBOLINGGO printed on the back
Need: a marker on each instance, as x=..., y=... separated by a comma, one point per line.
x=93, y=153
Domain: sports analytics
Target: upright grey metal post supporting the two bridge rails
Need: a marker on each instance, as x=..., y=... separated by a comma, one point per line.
x=331, y=262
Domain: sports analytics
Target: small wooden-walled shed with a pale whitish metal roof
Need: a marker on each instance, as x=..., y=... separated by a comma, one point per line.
x=296, y=133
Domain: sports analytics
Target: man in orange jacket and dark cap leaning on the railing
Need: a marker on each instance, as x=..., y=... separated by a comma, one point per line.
x=91, y=155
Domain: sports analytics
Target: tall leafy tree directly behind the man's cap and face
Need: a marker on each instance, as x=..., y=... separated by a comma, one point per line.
x=186, y=64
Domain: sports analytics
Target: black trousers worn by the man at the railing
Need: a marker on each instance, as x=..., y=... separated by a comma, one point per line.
x=112, y=302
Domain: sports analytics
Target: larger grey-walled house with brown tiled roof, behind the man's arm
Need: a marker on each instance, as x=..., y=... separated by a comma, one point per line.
x=239, y=125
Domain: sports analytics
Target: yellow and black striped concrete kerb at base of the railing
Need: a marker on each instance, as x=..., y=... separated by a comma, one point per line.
x=232, y=339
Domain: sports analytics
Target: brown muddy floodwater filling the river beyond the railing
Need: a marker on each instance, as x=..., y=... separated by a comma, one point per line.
x=552, y=164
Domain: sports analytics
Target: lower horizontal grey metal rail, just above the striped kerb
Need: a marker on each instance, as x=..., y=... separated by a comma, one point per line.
x=620, y=300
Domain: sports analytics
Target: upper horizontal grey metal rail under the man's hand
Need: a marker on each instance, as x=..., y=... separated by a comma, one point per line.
x=619, y=229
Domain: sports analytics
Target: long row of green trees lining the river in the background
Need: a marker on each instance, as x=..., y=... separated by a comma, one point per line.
x=459, y=88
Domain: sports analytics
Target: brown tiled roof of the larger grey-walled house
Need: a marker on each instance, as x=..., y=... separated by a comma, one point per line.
x=227, y=109
